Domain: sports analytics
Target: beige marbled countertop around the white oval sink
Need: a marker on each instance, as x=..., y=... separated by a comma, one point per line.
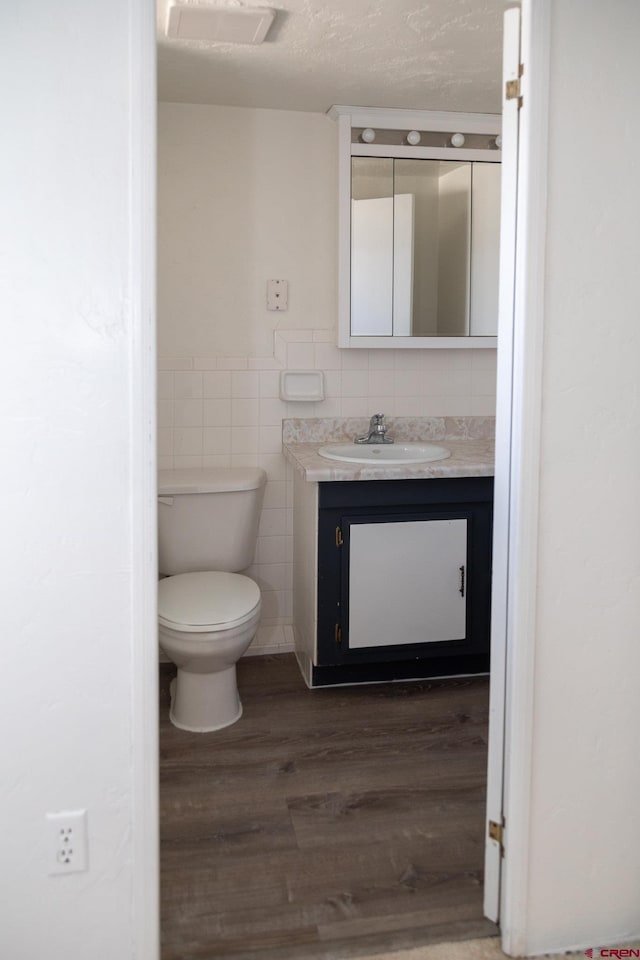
x=469, y=458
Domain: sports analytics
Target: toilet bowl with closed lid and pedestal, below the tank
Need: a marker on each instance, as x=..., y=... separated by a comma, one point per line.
x=206, y=622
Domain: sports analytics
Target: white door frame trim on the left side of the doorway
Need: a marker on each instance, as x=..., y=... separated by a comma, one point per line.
x=143, y=481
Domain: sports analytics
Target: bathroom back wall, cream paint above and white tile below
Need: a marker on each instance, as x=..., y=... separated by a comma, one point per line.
x=245, y=195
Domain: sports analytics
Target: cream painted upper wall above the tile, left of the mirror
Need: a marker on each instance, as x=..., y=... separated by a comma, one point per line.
x=244, y=196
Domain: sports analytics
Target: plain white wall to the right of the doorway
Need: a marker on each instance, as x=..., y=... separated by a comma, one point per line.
x=584, y=838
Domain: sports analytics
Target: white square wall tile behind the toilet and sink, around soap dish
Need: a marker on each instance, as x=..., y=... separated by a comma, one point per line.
x=226, y=411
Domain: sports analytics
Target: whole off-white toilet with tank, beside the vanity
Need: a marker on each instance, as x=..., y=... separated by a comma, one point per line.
x=208, y=612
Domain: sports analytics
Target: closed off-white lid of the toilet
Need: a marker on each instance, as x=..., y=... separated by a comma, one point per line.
x=207, y=598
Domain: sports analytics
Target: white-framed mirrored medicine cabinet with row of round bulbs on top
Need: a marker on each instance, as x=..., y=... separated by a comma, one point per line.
x=419, y=218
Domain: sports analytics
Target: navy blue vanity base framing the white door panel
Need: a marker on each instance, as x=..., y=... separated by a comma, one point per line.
x=345, y=505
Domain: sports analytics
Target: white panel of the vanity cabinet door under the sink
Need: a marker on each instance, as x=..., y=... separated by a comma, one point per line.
x=407, y=582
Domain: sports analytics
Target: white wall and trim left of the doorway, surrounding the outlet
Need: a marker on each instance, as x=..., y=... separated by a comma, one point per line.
x=75, y=512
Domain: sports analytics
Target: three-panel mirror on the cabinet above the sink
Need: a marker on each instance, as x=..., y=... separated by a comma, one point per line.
x=424, y=247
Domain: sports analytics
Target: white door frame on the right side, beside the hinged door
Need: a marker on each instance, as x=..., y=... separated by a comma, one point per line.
x=520, y=477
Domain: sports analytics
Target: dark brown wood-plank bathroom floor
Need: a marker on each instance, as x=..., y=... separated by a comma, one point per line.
x=325, y=824
